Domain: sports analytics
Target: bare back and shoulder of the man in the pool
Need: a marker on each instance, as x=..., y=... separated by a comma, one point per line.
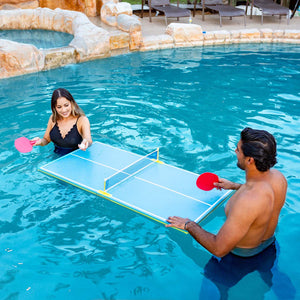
x=260, y=203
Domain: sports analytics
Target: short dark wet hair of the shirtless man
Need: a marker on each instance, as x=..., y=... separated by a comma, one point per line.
x=260, y=145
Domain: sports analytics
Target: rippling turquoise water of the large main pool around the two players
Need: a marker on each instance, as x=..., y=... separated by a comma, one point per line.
x=59, y=242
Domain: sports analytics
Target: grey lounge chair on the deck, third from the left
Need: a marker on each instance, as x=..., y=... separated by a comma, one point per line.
x=269, y=8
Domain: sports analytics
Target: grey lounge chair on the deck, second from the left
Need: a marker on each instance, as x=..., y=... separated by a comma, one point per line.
x=224, y=10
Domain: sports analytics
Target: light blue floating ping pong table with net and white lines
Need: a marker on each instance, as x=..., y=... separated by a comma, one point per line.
x=141, y=183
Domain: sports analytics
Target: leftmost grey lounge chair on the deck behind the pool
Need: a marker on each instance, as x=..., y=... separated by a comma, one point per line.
x=170, y=11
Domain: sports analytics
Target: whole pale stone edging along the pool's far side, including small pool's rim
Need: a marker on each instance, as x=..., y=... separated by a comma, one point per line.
x=93, y=42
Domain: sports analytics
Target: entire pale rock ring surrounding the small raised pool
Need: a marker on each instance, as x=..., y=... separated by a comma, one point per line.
x=89, y=42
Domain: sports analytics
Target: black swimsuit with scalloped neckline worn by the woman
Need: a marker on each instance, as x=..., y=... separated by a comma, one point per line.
x=67, y=144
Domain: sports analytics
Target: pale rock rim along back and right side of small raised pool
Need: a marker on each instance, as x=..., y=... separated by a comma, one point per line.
x=90, y=41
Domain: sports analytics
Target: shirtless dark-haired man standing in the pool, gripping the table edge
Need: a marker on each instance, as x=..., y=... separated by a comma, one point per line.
x=252, y=212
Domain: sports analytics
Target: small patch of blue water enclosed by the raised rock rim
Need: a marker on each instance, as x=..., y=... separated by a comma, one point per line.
x=42, y=39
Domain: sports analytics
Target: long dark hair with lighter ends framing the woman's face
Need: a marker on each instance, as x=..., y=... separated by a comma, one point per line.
x=76, y=110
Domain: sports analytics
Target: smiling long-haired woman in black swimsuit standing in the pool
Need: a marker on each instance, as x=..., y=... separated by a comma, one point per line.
x=68, y=127
